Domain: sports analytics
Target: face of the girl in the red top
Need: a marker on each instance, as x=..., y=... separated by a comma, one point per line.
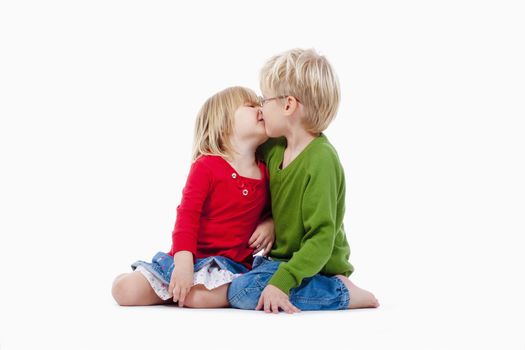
x=248, y=123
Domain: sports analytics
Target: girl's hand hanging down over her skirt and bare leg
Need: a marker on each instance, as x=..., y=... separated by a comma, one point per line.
x=182, y=277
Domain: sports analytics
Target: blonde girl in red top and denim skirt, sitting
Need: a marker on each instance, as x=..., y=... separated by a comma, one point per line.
x=224, y=201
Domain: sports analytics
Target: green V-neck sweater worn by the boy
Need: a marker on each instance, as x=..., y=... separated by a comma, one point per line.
x=308, y=205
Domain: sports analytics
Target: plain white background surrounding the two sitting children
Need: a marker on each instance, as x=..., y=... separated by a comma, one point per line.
x=97, y=104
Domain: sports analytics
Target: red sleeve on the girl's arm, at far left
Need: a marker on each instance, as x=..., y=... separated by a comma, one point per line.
x=194, y=194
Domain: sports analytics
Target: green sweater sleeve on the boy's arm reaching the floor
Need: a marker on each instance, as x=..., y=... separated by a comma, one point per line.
x=319, y=214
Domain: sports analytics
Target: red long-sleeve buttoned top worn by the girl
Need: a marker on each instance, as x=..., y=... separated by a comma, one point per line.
x=219, y=211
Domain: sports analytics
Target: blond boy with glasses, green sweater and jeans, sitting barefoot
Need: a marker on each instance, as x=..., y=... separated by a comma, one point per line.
x=308, y=265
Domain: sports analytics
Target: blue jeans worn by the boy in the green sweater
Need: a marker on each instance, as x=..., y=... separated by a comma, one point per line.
x=315, y=293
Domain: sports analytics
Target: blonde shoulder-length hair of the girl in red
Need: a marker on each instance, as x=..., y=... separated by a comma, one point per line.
x=214, y=123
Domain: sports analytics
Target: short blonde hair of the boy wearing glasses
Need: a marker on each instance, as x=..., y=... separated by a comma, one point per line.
x=309, y=77
